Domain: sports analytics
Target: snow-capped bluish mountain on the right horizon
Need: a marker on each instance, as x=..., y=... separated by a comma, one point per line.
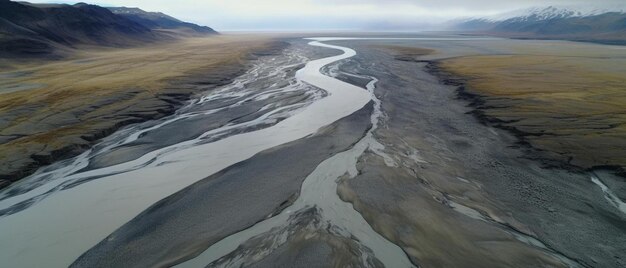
x=592, y=24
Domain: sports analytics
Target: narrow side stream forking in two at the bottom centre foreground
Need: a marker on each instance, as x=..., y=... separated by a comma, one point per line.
x=319, y=190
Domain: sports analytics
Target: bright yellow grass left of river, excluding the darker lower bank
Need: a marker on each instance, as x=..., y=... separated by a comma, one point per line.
x=102, y=71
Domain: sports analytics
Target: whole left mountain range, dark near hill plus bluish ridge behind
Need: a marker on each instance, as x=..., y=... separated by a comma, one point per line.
x=28, y=30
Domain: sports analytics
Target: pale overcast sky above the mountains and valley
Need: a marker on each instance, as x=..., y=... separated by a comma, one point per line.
x=333, y=14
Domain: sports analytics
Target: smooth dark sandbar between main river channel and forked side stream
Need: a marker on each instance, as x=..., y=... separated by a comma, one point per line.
x=188, y=222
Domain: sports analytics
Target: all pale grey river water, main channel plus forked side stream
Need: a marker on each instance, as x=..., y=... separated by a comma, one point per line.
x=53, y=216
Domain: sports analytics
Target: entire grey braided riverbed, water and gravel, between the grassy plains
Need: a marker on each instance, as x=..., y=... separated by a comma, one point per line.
x=371, y=161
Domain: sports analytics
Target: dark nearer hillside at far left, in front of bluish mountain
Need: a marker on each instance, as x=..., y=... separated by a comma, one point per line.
x=27, y=29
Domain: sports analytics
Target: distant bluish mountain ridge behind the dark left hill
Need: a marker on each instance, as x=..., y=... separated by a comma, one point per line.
x=158, y=20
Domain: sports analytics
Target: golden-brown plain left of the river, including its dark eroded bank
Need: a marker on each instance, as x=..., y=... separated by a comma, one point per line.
x=53, y=110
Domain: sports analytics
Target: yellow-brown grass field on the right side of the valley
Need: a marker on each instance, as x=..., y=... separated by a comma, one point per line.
x=565, y=100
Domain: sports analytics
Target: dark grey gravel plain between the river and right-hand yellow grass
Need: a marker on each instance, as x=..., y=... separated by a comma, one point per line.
x=446, y=157
